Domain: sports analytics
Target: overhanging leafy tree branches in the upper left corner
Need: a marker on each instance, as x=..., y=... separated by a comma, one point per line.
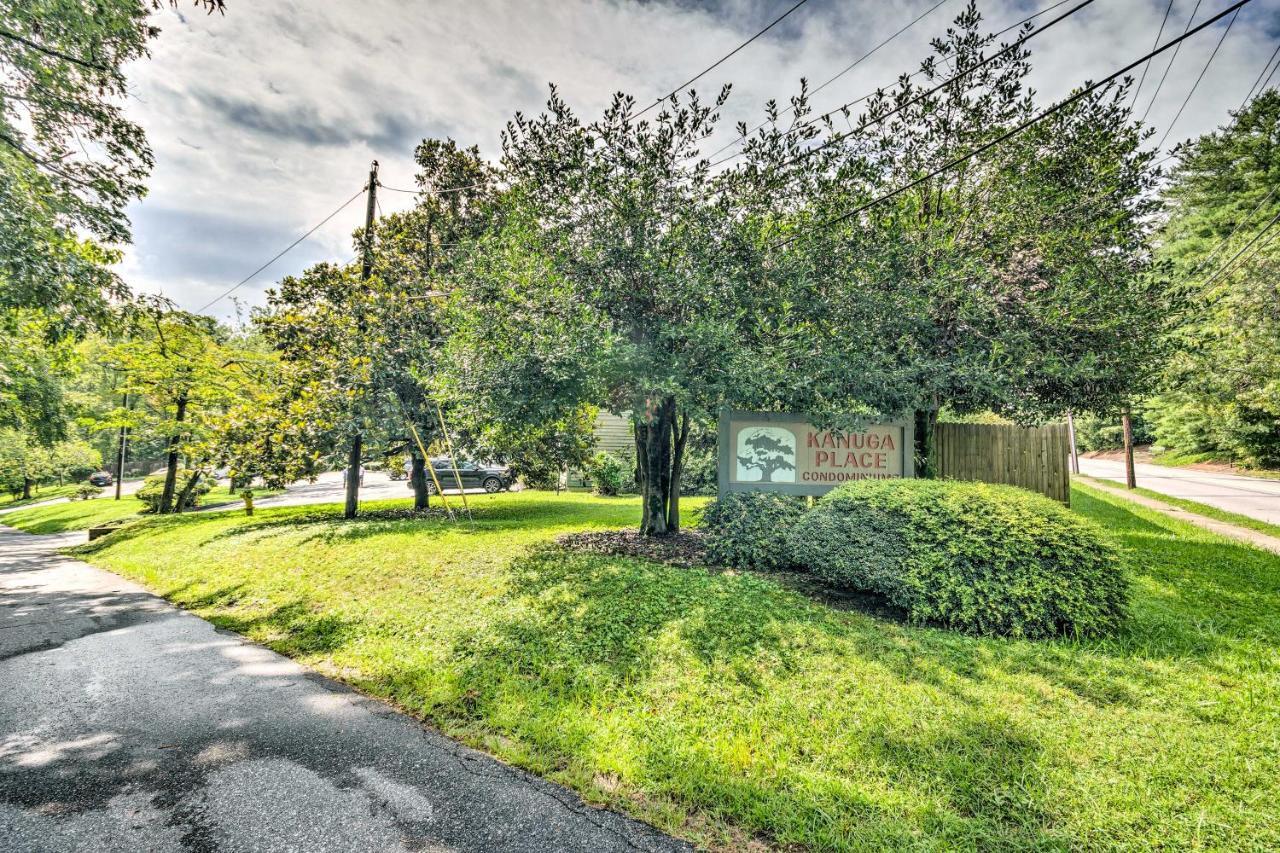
x=70, y=158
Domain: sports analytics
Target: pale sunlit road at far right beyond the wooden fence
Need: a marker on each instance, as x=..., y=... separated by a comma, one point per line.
x=1251, y=496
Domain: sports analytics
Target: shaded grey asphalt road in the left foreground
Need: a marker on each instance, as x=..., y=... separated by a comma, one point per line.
x=127, y=724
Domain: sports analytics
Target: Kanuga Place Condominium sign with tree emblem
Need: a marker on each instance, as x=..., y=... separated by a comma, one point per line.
x=784, y=453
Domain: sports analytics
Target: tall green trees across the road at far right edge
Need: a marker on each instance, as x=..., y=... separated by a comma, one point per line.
x=1222, y=390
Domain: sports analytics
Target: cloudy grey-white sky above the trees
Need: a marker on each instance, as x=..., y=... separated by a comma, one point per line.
x=267, y=120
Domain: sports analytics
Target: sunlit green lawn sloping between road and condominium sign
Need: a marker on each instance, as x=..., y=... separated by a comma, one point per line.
x=717, y=705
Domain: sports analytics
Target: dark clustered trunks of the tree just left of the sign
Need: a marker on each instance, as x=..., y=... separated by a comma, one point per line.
x=660, y=457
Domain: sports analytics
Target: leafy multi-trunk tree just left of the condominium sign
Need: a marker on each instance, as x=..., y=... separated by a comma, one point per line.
x=618, y=275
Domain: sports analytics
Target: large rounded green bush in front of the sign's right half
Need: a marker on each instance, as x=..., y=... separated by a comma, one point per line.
x=975, y=558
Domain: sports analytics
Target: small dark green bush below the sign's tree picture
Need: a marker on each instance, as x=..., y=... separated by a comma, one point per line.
x=749, y=530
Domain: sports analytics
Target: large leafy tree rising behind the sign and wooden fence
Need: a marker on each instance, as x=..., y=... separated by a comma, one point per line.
x=1018, y=280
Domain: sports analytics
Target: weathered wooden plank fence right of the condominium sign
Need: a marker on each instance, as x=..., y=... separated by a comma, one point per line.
x=1034, y=458
